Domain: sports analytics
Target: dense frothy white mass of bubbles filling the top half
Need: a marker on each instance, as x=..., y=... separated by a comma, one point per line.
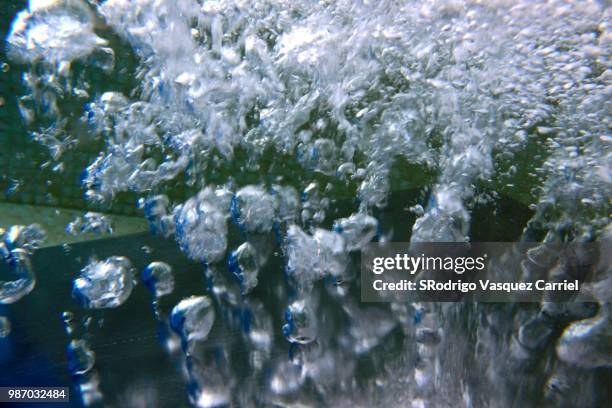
x=454, y=86
